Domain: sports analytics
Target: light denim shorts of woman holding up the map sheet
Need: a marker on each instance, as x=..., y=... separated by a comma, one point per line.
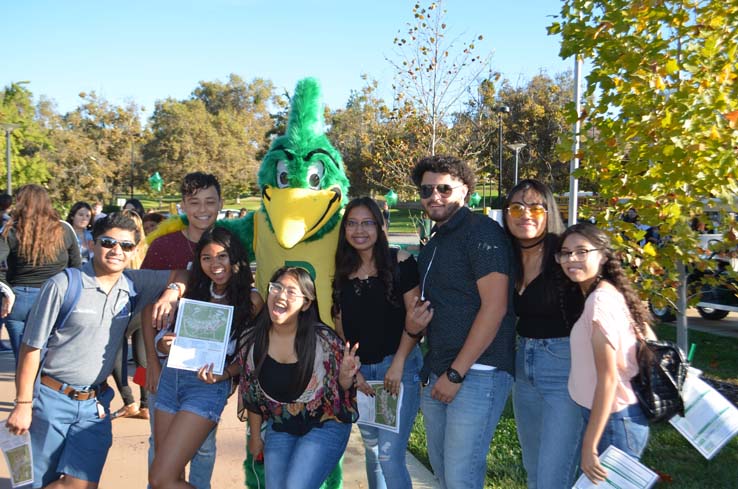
x=181, y=390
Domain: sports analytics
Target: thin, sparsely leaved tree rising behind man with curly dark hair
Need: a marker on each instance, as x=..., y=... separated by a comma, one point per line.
x=431, y=73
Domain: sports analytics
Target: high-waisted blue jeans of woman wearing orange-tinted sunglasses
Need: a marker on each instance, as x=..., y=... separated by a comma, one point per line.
x=549, y=422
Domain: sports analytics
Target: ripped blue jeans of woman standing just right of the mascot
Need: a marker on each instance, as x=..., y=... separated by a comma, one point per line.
x=385, y=450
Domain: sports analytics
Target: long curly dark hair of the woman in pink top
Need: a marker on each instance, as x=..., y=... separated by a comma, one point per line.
x=612, y=271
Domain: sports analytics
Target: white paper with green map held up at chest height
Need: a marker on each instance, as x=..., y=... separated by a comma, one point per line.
x=203, y=331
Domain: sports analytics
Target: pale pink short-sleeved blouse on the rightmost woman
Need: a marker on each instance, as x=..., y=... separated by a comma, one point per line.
x=605, y=309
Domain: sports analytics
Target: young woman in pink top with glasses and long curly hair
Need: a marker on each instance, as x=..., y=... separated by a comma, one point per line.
x=603, y=348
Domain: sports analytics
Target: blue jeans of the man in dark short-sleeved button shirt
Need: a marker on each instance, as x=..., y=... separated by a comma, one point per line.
x=459, y=433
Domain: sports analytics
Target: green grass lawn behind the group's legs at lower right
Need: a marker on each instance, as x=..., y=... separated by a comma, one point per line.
x=680, y=465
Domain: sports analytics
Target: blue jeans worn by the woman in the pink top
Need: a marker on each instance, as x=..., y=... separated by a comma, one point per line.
x=626, y=429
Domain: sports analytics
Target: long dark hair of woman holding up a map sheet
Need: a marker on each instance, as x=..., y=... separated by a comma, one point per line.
x=238, y=289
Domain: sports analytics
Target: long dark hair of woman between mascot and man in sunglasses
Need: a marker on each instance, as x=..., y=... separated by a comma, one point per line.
x=348, y=259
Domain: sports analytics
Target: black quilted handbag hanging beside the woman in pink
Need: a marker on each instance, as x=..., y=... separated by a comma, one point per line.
x=658, y=385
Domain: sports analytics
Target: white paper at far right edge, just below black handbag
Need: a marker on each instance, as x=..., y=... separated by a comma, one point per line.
x=710, y=420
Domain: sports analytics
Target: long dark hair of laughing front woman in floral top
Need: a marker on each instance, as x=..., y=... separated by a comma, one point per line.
x=308, y=322
